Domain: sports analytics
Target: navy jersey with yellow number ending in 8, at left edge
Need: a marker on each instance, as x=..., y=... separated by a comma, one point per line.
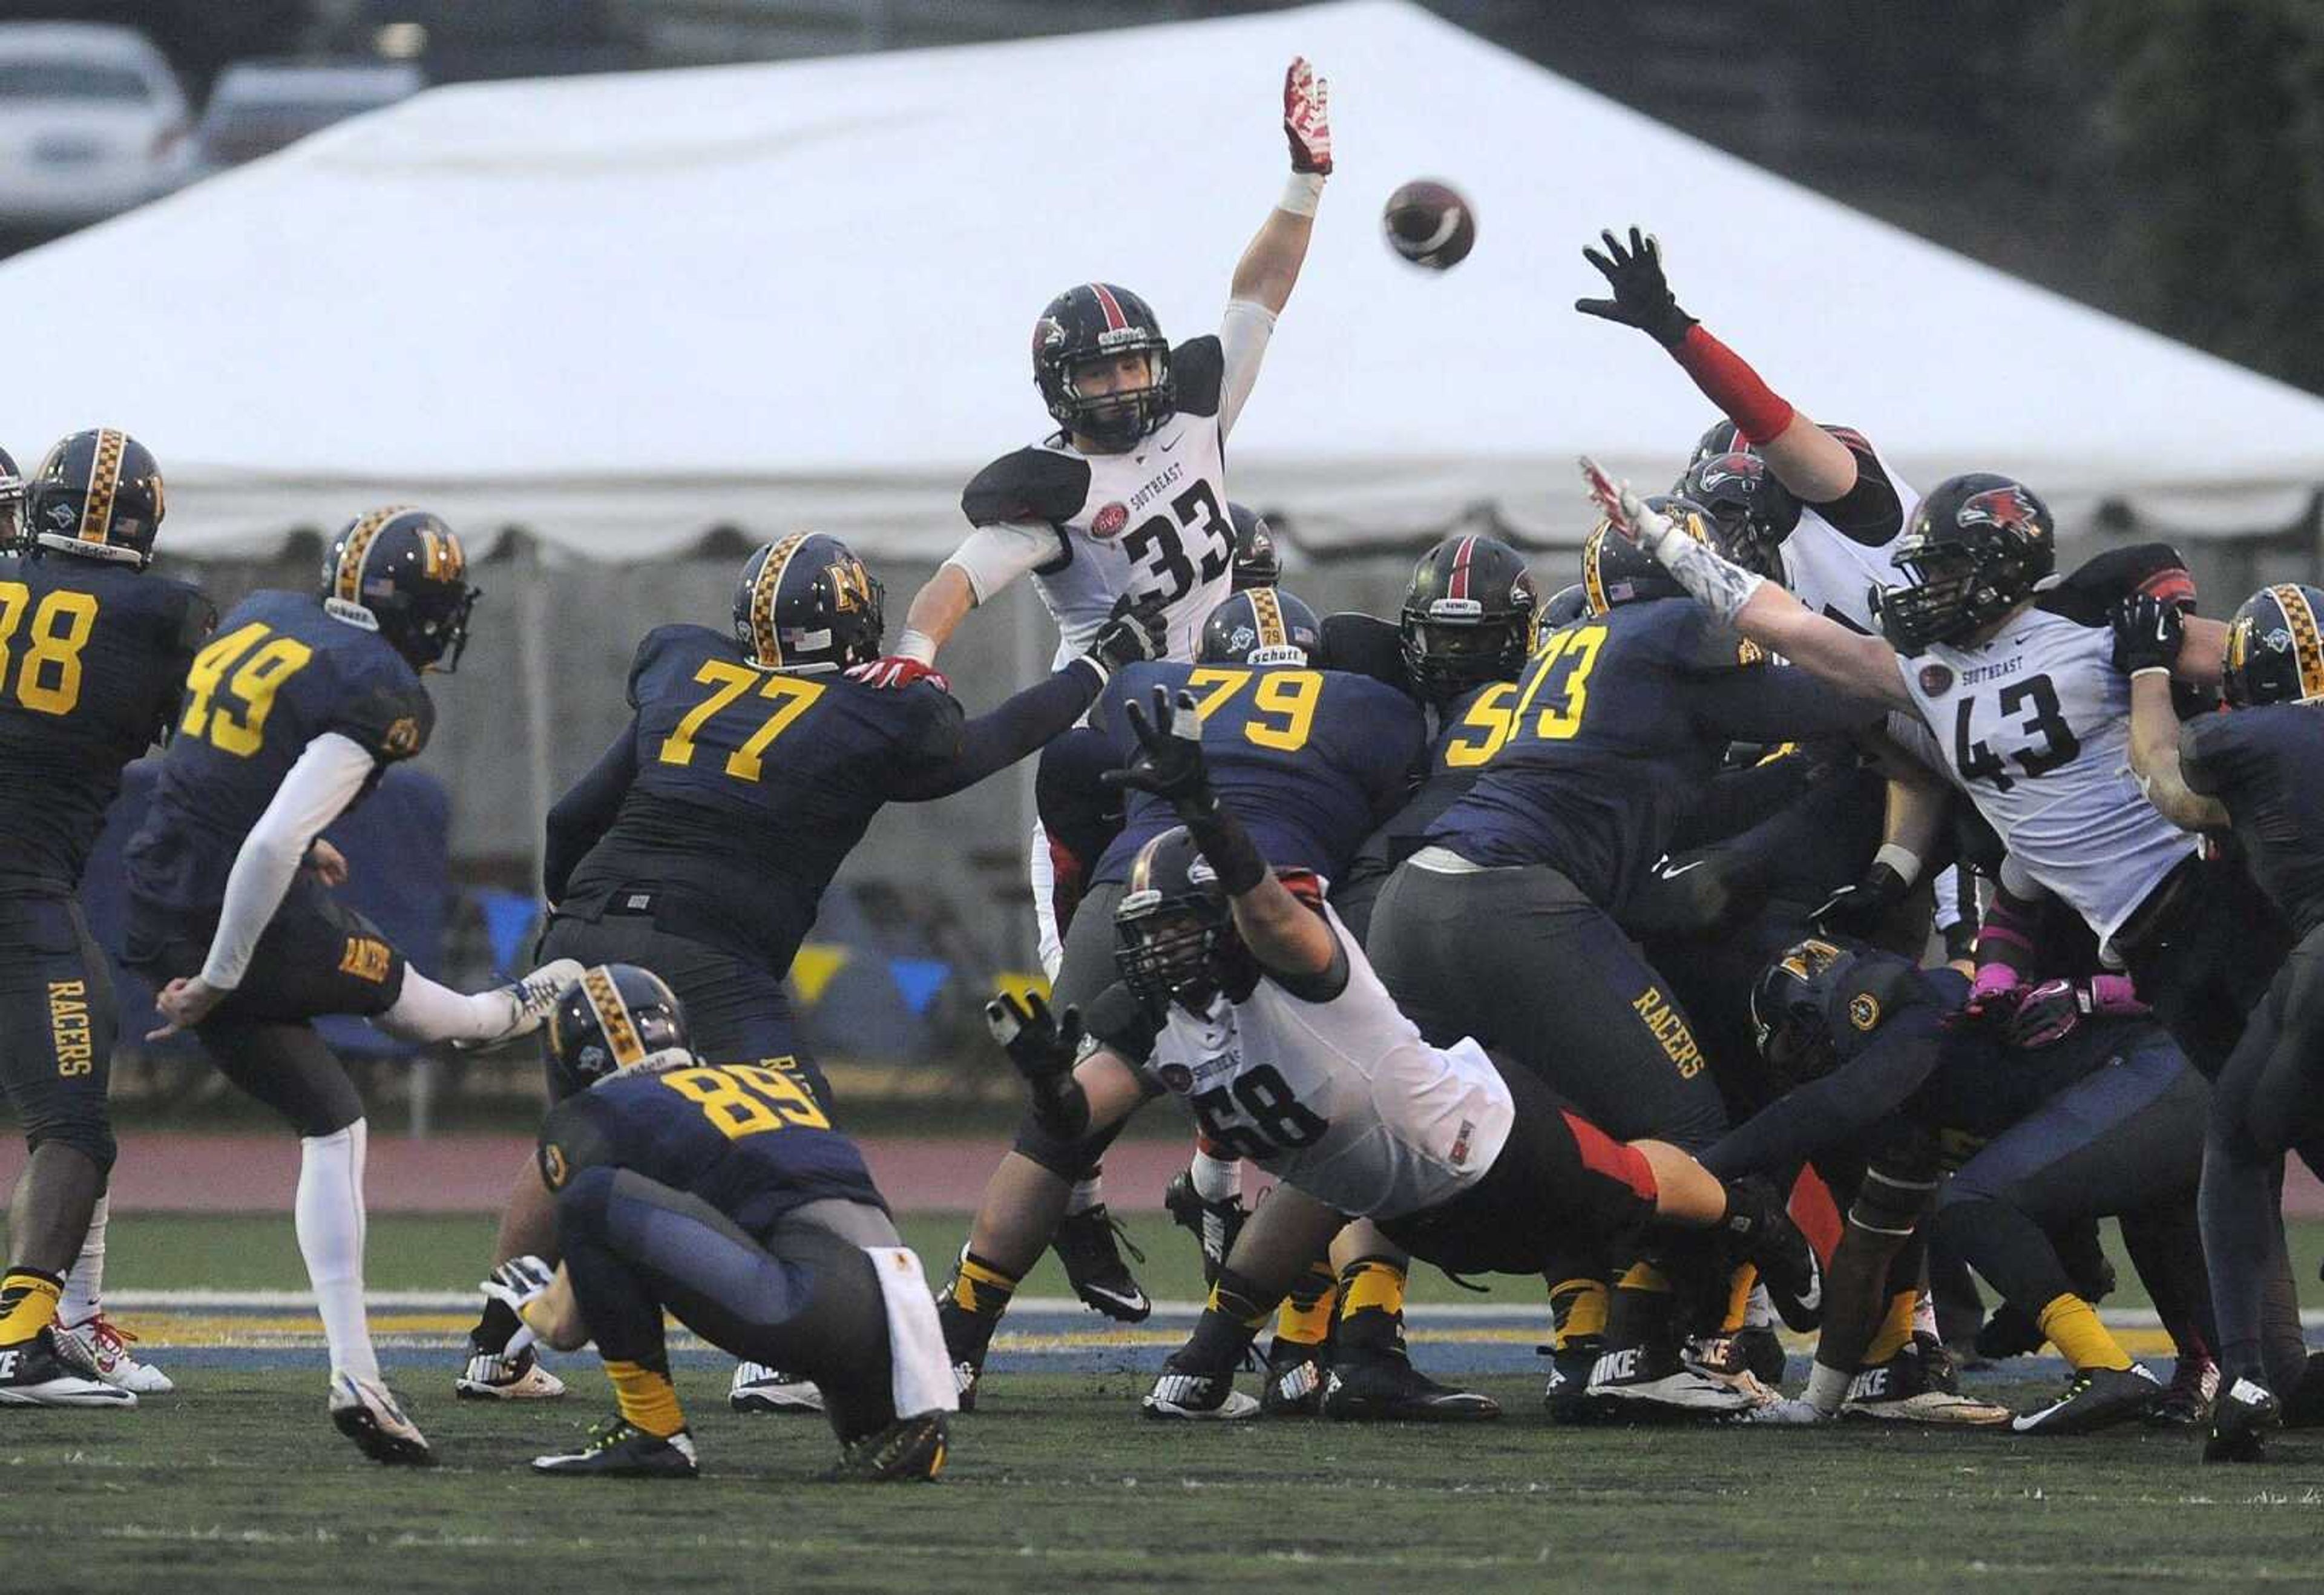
x=92, y=659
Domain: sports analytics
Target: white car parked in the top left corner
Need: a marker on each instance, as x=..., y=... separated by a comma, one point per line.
x=92, y=122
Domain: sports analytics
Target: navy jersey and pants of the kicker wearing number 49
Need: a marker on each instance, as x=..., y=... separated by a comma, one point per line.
x=278, y=675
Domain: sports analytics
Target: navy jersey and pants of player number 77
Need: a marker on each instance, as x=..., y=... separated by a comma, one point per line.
x=703, y=841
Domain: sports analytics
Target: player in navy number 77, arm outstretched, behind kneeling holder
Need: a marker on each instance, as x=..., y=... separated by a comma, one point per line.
x=703, y=841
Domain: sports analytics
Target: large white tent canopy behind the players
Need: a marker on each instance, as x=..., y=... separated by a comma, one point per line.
x=622, y=310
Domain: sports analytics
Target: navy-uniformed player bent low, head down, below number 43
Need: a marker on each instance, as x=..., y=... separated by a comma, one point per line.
x=2079, y=1110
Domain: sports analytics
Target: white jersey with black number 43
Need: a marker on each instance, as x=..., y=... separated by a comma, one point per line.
x=2037, y=731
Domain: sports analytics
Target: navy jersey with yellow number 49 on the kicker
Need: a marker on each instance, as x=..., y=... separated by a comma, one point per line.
x=278, y=675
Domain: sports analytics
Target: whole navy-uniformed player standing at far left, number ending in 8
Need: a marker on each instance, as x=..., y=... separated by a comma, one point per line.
x=94, y=650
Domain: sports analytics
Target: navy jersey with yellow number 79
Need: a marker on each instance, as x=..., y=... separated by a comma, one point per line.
x=1307, y=759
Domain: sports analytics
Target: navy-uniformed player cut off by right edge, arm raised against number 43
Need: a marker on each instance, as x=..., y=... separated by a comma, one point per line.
x=2251, y=773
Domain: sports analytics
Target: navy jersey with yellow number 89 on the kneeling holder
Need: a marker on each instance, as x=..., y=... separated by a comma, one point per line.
x=747, y=1138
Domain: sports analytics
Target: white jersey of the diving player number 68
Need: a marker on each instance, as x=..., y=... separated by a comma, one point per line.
x=1340, y=1099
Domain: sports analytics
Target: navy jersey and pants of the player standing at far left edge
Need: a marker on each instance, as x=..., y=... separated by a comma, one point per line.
x=92, y=657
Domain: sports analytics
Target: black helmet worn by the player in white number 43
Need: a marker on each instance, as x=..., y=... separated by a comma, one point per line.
x=1974, y=550
